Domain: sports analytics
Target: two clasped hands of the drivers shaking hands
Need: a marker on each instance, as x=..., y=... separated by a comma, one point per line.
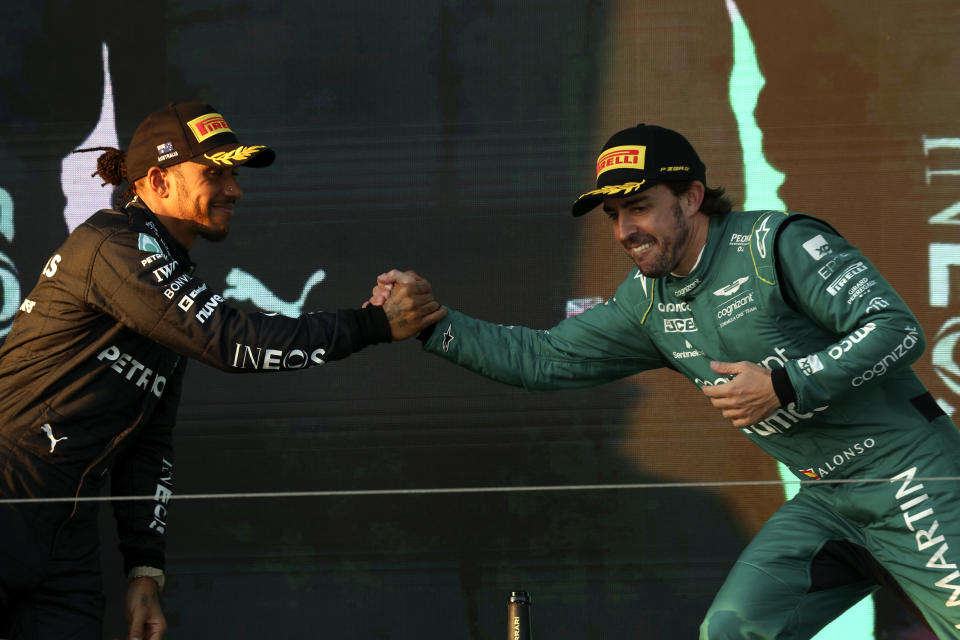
x=407, y=302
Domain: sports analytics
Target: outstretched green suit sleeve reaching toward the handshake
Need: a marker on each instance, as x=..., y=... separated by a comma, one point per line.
x=602, y=344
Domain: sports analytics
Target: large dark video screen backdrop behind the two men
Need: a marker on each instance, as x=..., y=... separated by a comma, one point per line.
x=392, y=495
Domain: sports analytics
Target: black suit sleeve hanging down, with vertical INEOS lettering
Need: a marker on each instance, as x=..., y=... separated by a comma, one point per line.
x=145, y=468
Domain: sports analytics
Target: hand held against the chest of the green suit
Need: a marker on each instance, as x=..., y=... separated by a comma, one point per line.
x=748, y=398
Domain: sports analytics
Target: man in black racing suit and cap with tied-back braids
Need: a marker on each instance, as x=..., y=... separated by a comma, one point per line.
x=91, y=372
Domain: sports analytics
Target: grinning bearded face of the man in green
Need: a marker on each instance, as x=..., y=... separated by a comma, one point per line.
x=661, y=232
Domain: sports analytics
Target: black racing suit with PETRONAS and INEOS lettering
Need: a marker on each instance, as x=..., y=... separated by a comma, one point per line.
x=90, y=379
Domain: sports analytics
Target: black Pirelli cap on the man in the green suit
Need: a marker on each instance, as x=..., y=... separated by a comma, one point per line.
x=635, y=159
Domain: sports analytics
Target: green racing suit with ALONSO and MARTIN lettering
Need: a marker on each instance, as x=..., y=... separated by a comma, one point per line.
x=787, y=292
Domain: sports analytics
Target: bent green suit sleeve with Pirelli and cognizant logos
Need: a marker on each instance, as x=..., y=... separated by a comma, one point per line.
x=874, y=334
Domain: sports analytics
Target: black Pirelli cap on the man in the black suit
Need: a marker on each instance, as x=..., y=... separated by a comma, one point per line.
x=189, y=131
